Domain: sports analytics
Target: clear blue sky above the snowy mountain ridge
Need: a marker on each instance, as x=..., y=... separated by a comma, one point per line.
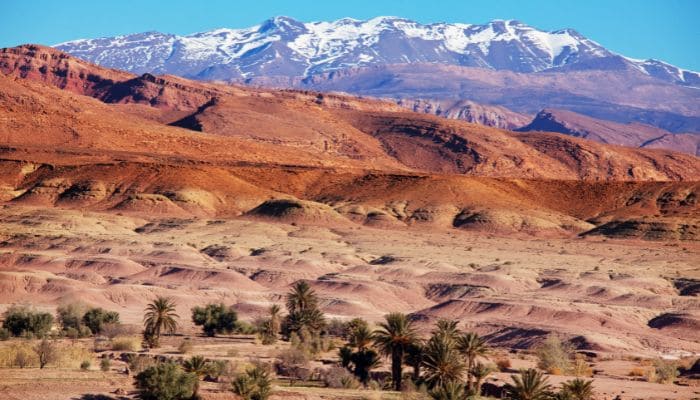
x=664, y=29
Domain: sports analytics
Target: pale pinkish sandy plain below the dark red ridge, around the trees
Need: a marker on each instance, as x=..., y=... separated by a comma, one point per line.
x=627, y=303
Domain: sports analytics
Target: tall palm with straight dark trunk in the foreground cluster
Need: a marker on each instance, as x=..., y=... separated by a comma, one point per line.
x=392, y=339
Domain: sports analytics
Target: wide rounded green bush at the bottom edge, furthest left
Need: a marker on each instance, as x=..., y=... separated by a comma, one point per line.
x=165, y=381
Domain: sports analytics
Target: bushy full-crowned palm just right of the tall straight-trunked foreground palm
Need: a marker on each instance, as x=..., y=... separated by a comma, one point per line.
x=442, y=362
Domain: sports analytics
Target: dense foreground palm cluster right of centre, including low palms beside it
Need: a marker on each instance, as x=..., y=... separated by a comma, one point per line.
x=450, y=362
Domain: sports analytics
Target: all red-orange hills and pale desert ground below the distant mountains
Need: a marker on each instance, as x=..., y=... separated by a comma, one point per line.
x=117, y=189
